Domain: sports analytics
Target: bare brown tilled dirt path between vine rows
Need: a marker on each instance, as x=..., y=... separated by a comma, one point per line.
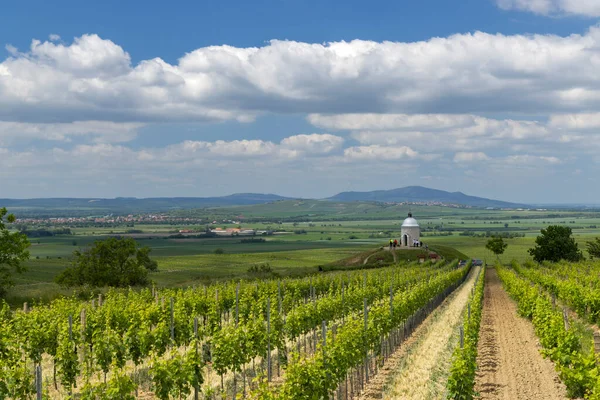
x=510, y=364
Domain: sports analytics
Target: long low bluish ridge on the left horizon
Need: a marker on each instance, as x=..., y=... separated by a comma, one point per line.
x=134, y=205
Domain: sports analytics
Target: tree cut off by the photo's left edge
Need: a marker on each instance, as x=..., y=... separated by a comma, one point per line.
x=13, y=251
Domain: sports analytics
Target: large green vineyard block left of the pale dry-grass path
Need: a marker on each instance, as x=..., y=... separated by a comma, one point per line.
x=313, y=337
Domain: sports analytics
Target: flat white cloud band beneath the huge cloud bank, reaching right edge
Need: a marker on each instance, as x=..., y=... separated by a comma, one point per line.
x=470, y=133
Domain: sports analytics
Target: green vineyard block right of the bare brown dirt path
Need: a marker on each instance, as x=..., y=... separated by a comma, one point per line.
x=567, y=337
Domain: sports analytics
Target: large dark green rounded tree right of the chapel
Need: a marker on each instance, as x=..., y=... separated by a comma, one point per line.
x=555, y=244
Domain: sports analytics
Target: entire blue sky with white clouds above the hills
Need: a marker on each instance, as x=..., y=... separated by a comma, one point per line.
x=302, y=98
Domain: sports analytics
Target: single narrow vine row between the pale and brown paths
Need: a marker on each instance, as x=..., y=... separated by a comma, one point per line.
x=461, y=381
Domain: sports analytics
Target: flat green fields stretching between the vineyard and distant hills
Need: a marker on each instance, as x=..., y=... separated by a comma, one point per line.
x=185, y=262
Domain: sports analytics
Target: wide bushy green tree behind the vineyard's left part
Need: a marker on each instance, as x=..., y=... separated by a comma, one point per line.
x=116, y=262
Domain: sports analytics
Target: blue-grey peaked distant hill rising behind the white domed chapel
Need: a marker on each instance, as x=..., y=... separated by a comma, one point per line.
x=422, y=194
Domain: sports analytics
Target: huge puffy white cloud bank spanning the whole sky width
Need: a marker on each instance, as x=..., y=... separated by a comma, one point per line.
x=94, y=79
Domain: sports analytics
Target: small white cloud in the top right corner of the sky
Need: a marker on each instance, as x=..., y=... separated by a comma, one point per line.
x=589, y=8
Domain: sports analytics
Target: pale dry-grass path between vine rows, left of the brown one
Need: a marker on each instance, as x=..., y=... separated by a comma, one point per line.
x=419, y=369
